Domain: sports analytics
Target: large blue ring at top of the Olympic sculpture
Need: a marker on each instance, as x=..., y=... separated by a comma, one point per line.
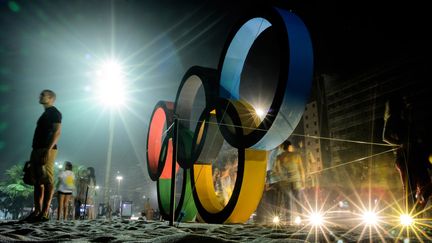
x=296, y=77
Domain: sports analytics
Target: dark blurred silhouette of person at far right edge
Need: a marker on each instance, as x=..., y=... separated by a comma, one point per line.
x=411, y=155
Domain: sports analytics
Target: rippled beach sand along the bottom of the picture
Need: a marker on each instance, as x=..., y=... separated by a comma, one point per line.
x=120, y=230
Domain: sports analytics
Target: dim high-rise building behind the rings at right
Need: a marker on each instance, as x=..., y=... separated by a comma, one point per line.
x=355, y=108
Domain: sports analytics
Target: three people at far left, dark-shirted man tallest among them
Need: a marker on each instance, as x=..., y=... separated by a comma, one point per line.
x=44, y=151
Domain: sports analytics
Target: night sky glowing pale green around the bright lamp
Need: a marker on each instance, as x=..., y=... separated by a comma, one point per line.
x=58, y=45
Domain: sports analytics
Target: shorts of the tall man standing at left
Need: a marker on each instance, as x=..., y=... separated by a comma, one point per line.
x=43, y=173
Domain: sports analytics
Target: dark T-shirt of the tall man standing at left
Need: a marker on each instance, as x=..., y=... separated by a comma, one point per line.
x=45, y=128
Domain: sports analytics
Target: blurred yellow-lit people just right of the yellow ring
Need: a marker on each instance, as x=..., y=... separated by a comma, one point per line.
x=284, y=181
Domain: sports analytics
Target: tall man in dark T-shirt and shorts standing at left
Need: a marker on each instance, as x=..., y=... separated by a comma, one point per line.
x=42, y=157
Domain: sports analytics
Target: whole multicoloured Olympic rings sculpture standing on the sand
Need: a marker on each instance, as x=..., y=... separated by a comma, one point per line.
x=268, y=47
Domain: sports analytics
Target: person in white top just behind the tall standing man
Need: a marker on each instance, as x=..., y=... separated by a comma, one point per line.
x=65, y=187
